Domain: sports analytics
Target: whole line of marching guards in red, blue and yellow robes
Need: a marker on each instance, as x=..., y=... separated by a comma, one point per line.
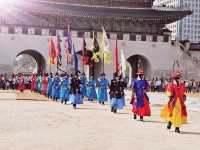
x=73, y=89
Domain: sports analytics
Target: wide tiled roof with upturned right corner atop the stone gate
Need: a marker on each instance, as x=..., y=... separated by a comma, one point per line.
x=35, y=13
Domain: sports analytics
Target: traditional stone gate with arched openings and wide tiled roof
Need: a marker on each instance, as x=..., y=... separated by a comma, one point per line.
x=139, y=28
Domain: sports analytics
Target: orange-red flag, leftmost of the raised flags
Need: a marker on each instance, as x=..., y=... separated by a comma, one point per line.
x=52, y=51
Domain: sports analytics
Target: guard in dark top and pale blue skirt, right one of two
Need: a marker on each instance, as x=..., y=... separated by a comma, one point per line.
x=117, y=100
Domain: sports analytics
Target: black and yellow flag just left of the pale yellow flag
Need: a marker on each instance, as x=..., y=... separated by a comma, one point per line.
x=95, y=49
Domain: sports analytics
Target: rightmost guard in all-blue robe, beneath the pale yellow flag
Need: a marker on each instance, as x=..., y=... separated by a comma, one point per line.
x=102, y=89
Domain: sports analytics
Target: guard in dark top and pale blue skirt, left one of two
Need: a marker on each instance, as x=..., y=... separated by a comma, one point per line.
x=75, y=97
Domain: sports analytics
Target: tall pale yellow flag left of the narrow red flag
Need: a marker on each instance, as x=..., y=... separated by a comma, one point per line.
x=104, y=47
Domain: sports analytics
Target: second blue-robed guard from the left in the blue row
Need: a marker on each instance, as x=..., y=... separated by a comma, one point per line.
x=56, y=87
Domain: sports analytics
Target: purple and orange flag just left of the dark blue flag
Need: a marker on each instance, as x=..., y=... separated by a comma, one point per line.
x=68, y=47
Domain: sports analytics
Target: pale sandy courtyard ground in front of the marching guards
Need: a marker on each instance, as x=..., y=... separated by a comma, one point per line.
x=35, y=123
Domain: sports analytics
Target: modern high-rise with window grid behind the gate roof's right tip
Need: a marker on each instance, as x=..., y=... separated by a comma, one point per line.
x=189, y=27
